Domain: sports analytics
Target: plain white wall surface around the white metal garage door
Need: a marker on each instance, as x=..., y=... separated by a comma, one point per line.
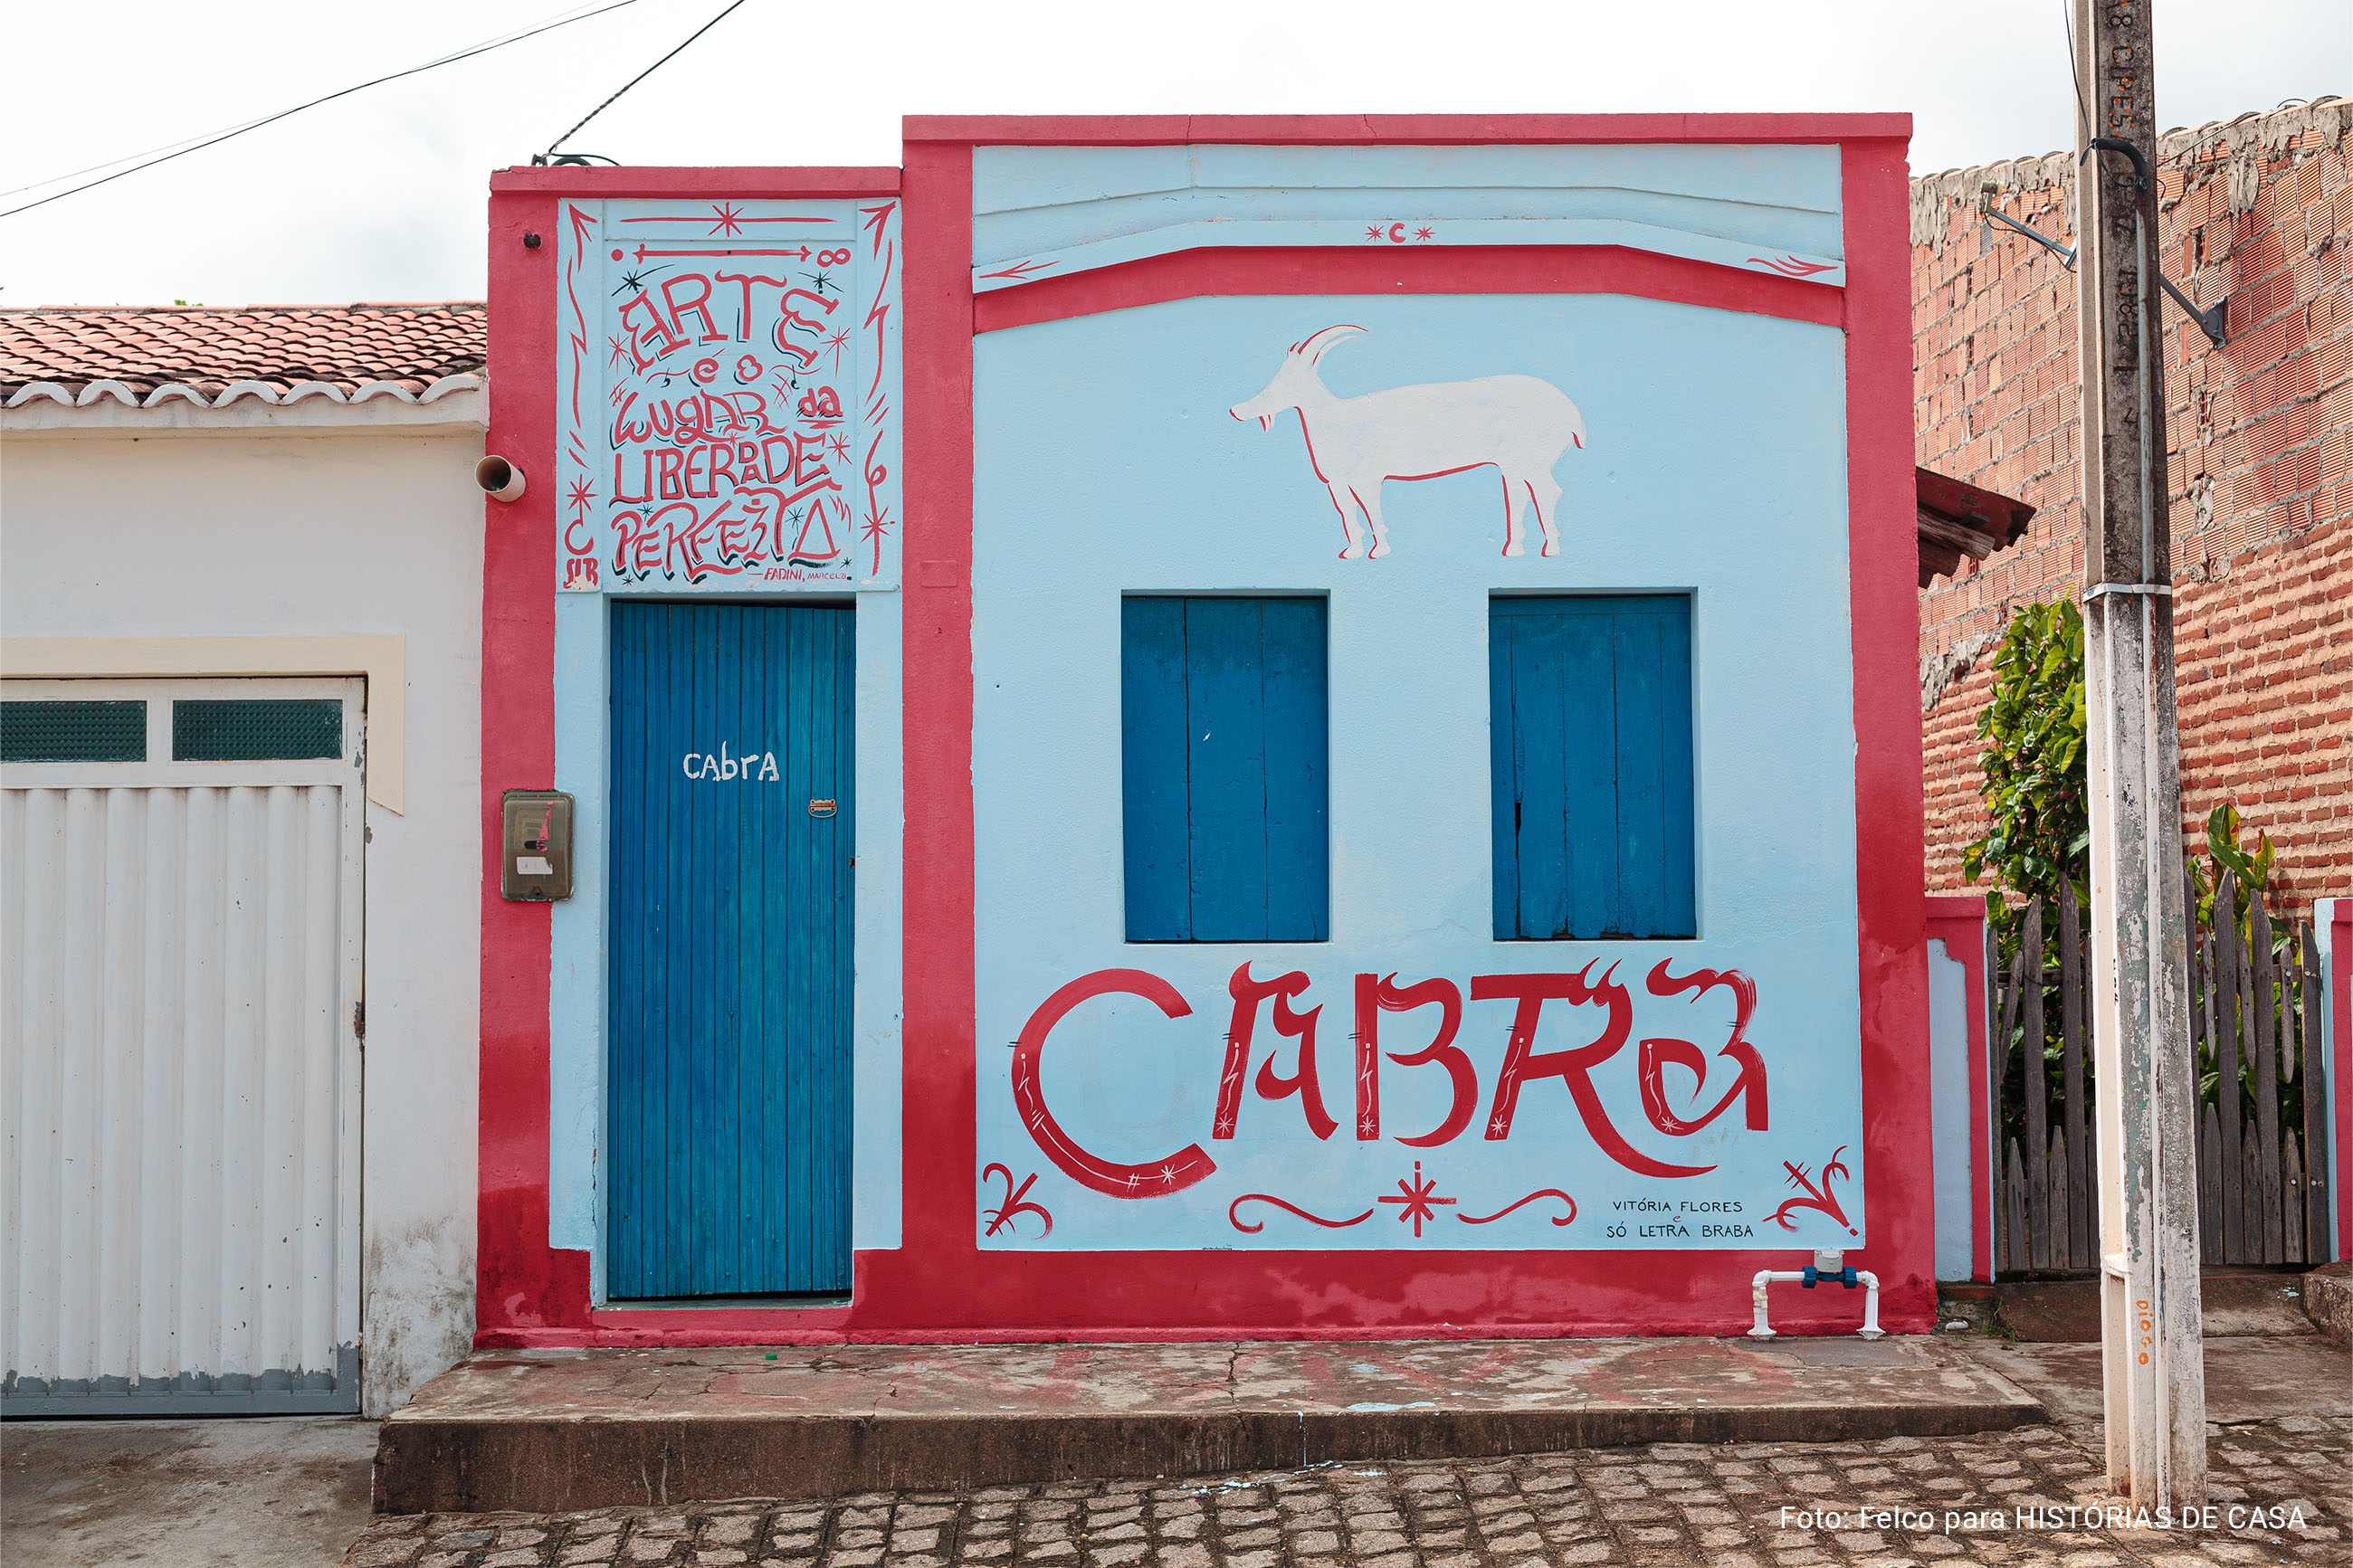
x=321, y=532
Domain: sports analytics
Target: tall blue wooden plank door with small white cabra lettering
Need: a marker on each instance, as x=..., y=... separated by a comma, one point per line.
x=731, y=951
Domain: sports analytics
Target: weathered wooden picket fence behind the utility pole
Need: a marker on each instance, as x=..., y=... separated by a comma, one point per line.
x=2262, y=1158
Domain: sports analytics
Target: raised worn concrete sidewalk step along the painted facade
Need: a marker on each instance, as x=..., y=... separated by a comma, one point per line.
x=559, y=1430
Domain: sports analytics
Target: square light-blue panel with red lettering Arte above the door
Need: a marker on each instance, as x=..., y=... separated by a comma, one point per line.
x=728, y=396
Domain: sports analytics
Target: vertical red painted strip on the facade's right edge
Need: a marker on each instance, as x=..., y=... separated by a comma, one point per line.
x=1888, y=784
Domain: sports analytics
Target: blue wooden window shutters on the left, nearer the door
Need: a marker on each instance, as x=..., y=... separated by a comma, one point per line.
x=1225, y=758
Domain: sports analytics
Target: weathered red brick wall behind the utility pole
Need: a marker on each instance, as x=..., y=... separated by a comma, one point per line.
x=2262, y=469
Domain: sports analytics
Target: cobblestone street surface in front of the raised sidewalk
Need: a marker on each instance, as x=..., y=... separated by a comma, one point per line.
x=1766, y=1506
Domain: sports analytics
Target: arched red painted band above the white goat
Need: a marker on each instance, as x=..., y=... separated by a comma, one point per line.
x=1469, y=269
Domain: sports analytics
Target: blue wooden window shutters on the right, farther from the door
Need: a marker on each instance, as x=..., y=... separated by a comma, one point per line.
x=1592, y=765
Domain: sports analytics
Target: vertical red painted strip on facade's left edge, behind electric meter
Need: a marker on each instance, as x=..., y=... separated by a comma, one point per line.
x=519, y=1280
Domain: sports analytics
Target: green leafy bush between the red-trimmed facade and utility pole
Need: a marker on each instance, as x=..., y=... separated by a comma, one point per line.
x=2034, y=765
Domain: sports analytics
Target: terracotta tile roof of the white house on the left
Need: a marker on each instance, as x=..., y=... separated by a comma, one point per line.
x=211, y=349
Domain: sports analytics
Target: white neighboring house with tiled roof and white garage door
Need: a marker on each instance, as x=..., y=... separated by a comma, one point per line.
x=241, y=855
